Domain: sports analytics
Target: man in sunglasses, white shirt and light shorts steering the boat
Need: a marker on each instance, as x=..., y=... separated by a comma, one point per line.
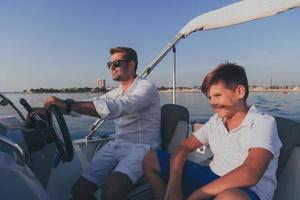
x=135, y=108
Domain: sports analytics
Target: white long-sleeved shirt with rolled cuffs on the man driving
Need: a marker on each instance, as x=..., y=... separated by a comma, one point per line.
x=136, y=113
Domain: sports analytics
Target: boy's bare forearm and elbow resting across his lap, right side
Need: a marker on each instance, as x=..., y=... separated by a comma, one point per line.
x=248, y=174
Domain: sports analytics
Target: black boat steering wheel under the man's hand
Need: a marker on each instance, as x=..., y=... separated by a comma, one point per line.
x=61, y=134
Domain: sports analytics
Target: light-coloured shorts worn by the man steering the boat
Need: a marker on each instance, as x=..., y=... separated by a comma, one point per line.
x=116, y=156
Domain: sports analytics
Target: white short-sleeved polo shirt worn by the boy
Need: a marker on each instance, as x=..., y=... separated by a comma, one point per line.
x=230, y=149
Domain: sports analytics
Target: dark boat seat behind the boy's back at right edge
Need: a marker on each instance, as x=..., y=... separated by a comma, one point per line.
x=288, y=173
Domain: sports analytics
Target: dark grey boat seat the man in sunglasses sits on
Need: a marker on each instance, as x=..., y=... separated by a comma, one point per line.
x=174, y=128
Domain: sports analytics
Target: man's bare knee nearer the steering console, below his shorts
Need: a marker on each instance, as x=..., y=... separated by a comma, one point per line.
x=84, y=189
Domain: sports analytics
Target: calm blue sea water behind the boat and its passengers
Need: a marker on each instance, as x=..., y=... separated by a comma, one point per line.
x=275, y=103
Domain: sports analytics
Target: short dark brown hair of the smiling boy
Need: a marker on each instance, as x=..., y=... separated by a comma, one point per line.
x=230, y=74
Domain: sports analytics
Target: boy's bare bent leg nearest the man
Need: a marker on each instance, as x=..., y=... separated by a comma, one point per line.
x=152, y=171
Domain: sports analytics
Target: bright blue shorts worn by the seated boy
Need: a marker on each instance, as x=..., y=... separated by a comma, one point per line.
x=194, y=176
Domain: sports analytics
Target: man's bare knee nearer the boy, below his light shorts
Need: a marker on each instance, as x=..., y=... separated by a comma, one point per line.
x=116, y=187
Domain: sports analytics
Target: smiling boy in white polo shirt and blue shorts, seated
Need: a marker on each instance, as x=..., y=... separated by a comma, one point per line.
x=244, y=142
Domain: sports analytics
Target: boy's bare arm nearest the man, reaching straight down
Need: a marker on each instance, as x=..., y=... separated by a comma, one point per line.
x=176, y=165
